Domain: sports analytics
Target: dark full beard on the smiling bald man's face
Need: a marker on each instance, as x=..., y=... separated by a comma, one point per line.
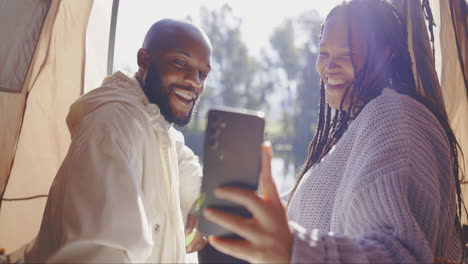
x=156, y=94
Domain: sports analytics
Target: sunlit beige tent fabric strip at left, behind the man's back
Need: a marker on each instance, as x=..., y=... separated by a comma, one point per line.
x=55, y=81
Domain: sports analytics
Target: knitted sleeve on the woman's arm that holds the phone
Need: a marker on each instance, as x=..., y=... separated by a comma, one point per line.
x=392, y=210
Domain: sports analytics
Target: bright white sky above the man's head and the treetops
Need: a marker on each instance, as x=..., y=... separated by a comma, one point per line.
x=259, y=17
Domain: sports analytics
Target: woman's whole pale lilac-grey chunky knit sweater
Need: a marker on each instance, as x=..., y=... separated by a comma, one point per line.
x=384, y=193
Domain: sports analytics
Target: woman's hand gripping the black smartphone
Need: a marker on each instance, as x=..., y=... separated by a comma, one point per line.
x=267, y=235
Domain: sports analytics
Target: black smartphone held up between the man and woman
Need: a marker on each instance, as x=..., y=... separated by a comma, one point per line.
x=231, y=157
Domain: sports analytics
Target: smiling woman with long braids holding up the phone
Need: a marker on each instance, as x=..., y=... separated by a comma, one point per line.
x=380, y=183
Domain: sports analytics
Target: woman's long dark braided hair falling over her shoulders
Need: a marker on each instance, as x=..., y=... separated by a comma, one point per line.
x=383, y=27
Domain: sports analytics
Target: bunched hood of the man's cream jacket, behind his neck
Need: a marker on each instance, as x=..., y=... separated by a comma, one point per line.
x=119, y=87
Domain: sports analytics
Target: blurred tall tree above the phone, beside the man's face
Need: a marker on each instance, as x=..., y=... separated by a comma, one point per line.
x=236, y=81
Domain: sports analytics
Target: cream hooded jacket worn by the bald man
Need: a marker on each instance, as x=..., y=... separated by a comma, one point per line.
x=125, y=187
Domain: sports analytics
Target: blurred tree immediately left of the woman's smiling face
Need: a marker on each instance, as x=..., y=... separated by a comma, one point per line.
x=295, y=43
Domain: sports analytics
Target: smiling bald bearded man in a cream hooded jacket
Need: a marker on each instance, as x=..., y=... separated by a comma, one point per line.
x=127, y=183
